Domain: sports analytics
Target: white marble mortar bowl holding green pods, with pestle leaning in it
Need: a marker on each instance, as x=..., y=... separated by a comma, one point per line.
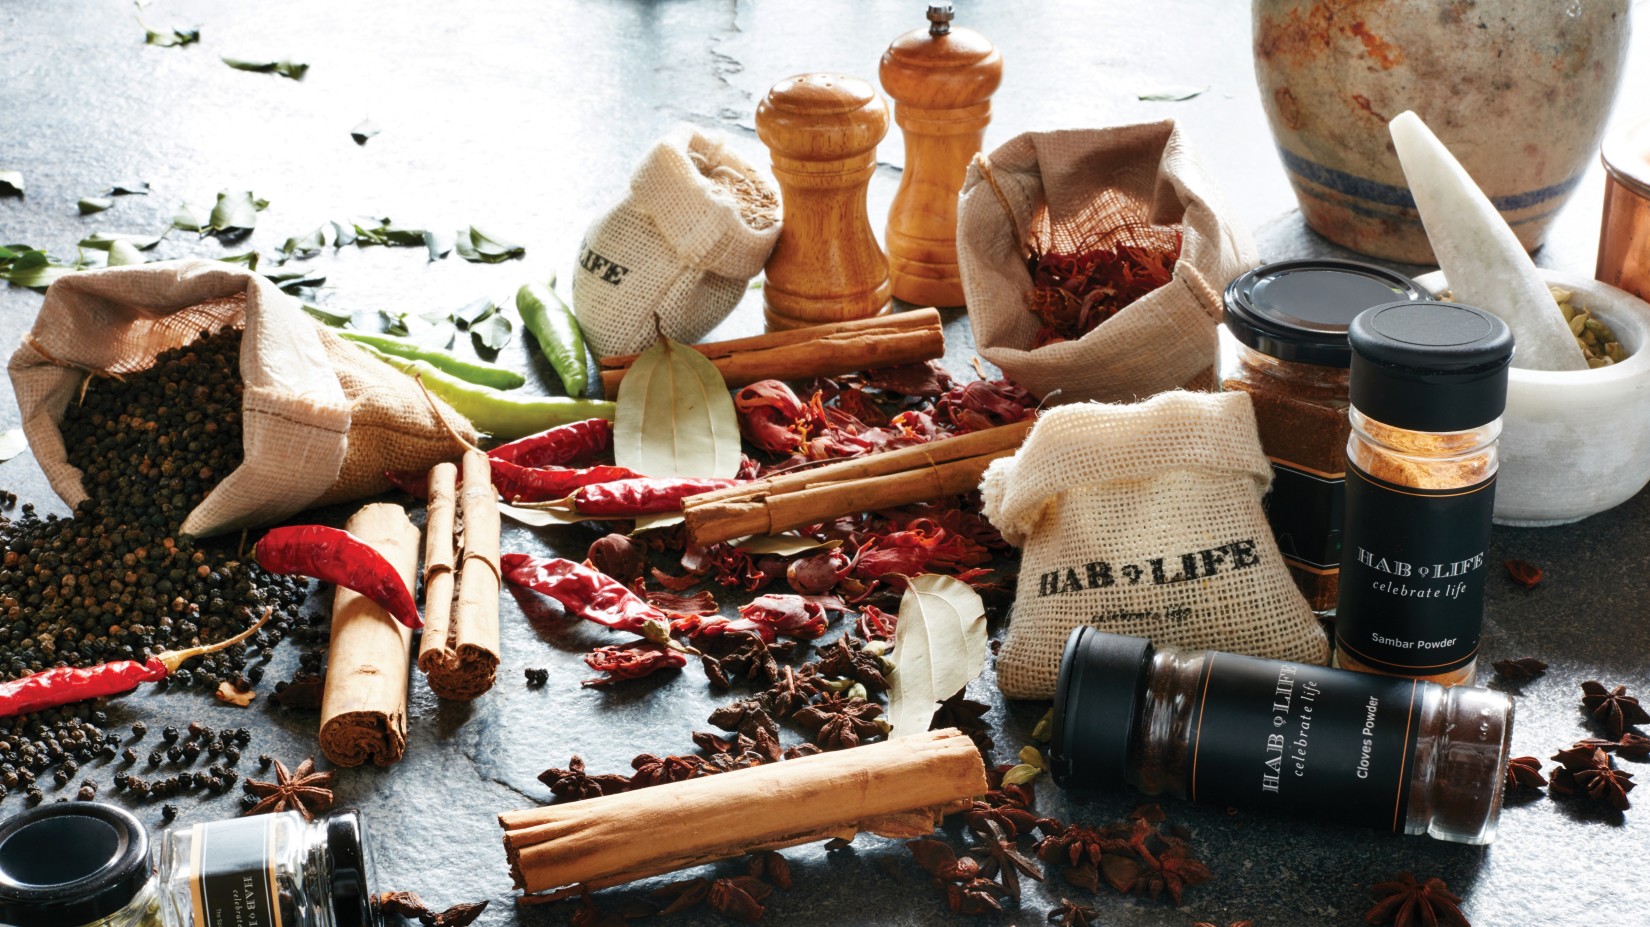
x=1577, y=443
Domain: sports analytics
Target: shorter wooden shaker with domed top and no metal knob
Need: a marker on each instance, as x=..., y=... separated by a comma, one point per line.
x=823, y=131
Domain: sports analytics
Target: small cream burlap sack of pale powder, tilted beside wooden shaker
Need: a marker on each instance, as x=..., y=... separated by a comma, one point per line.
x=684, y=245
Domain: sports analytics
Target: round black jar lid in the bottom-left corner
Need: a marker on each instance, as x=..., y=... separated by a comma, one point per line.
x=70, y=863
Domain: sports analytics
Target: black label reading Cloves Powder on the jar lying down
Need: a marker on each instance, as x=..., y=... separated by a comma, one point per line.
x=1309, y=740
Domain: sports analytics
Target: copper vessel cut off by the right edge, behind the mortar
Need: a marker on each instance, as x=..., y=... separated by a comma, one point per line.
x=1624, y=242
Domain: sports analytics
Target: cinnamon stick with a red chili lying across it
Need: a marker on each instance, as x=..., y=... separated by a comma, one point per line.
x=364, y=710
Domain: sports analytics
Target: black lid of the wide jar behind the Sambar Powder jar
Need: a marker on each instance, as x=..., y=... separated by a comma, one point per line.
x=1299, y=311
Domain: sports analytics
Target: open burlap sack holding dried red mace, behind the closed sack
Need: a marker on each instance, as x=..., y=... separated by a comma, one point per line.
x=1096, y=189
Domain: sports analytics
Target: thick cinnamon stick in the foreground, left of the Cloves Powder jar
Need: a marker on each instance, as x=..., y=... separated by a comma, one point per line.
x=892, y=789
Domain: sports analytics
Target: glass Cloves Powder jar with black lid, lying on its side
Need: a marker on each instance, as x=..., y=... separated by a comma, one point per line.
x=1390, y=753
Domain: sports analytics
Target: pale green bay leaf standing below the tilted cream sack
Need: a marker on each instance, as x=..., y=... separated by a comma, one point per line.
x=676, y=416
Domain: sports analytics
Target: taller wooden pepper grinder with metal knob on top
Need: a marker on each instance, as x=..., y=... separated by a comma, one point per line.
x=943, y=82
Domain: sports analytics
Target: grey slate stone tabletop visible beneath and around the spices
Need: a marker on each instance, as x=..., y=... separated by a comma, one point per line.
x=527, y=118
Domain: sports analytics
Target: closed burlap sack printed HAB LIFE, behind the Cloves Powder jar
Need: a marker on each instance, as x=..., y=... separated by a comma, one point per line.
x=1144, y=520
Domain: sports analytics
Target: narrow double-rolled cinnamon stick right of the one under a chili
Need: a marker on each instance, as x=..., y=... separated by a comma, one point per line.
x=460, y=652
